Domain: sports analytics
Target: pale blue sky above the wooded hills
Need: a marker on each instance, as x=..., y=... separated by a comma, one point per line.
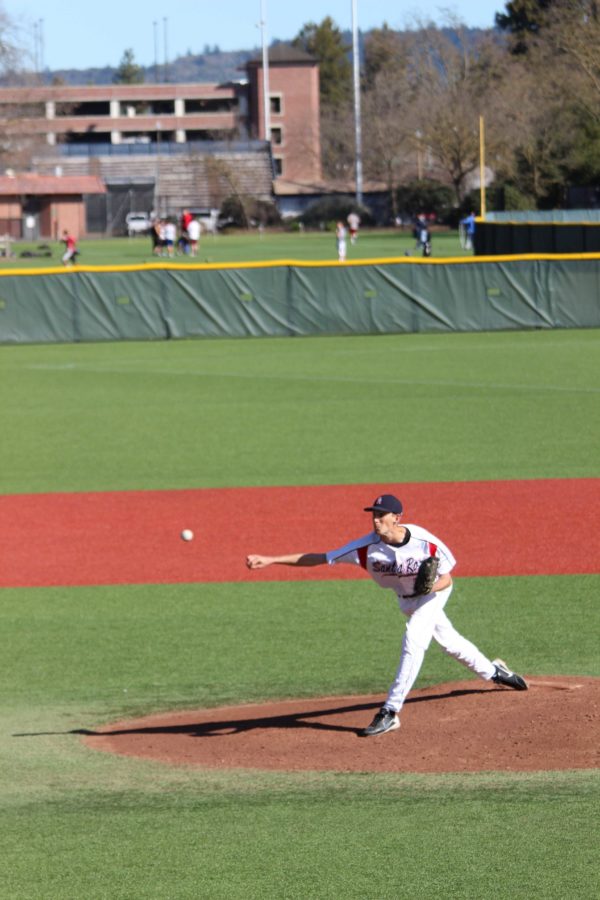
x=82, y=34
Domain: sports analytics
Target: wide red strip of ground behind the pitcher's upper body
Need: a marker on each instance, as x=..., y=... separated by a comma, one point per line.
x=542, y=527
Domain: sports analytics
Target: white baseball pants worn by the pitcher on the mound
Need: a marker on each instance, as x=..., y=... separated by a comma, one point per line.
x=427, y=620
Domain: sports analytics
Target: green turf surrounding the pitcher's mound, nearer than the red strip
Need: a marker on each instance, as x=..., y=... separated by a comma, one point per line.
x=81, y=823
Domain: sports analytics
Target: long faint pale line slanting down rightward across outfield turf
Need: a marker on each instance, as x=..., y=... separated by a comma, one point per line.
x=187, y=373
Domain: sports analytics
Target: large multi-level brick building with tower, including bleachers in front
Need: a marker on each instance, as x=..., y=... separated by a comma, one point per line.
x=166, y=146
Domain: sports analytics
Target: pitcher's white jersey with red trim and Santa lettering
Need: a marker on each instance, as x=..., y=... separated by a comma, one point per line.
x=394, y=566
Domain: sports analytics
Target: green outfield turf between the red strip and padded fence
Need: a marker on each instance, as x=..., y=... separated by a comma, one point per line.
x=308, y=411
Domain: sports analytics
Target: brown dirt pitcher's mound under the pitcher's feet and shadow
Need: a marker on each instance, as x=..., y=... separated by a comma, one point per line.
x=466, y=726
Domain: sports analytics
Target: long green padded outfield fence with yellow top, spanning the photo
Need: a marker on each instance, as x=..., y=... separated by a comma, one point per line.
x=159, y=301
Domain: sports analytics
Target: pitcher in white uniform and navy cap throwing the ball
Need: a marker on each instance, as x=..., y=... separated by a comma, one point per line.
x=392, y=554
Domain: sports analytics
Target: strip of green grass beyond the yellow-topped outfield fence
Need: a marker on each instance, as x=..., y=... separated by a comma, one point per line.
x=238, y=246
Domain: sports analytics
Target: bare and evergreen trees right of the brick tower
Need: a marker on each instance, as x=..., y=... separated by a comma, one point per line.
x=535, y=80
